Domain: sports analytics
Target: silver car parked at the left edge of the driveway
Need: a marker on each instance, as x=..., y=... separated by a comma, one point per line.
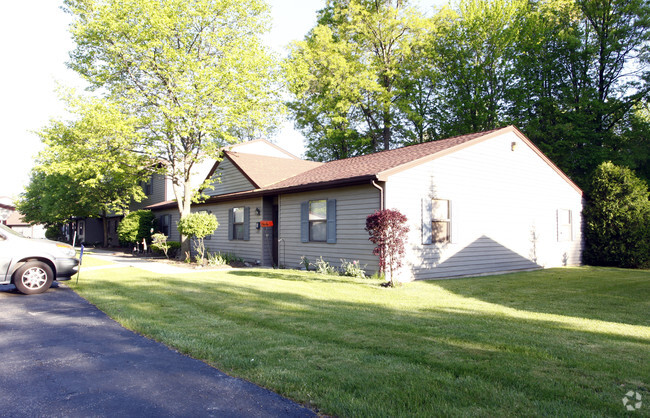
x=32, y=264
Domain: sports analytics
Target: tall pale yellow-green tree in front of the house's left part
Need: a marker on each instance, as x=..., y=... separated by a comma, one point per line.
x=194, y=73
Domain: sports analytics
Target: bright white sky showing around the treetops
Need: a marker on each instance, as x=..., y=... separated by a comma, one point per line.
x=35, y=46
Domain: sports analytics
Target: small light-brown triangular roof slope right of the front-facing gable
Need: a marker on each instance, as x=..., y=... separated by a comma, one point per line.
x=263, y=171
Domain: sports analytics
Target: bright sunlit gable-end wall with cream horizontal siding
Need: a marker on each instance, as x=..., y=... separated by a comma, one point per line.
x=504, y=211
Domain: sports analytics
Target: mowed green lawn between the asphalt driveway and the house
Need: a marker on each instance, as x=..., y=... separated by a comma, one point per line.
x=559, y=342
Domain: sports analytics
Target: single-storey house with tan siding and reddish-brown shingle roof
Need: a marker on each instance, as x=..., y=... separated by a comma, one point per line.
x=476, y=204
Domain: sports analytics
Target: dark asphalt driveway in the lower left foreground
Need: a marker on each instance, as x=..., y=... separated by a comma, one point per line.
x=61, y=356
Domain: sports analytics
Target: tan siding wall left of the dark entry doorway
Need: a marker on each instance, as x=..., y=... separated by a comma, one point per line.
x=250, y=250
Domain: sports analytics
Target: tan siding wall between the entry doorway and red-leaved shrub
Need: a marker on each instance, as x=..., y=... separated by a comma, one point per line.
x=353, y=205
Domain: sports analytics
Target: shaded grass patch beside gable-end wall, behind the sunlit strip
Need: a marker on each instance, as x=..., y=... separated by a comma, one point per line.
x=606, y=294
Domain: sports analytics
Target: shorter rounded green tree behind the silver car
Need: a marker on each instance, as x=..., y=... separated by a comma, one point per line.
x=95, y=153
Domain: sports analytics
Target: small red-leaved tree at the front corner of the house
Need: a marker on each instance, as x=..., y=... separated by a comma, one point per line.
x=388, y=229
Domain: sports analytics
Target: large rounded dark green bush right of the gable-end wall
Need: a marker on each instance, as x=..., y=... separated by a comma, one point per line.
x=617, y=219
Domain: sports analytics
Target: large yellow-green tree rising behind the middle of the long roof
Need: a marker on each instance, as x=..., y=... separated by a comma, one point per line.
x=345, y=76
